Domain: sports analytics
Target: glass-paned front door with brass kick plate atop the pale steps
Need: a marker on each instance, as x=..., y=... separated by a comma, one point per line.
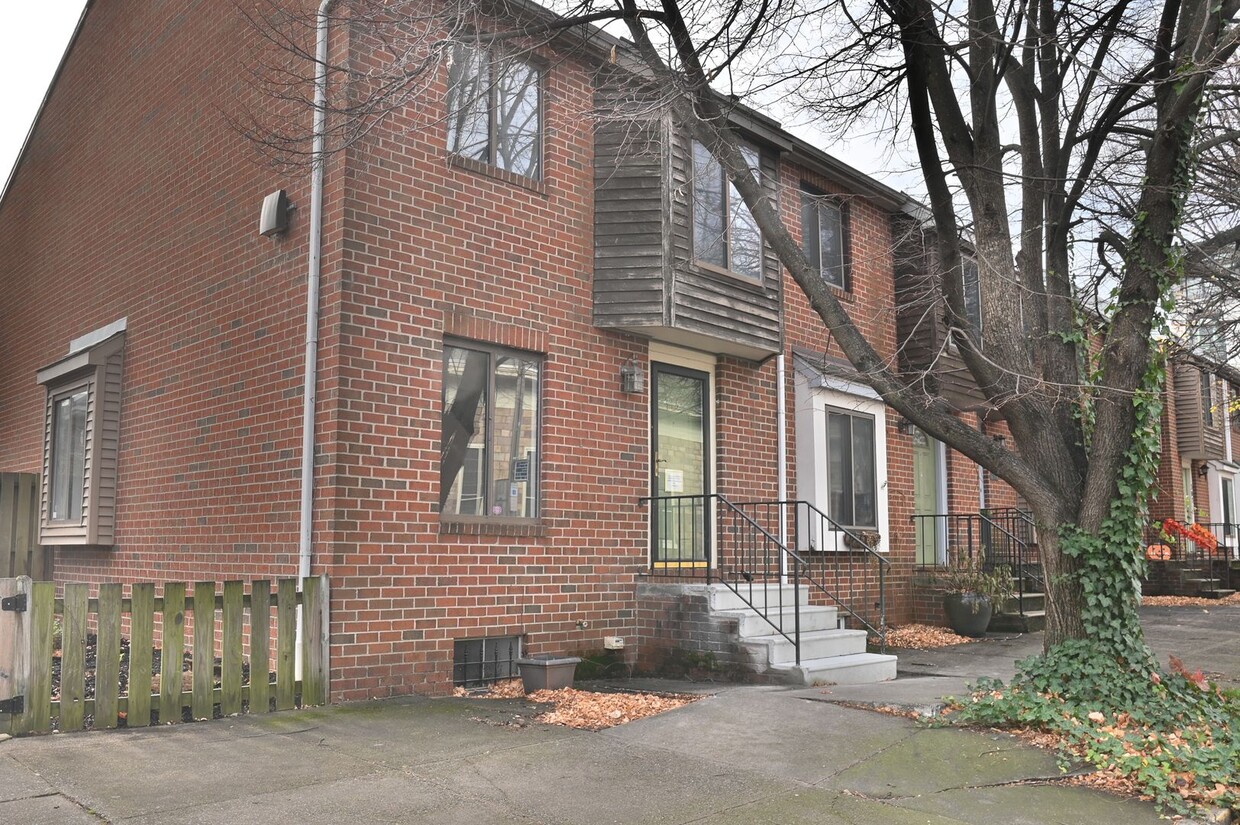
x=681, y=439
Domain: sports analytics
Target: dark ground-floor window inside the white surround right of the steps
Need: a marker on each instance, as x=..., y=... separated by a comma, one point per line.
x=851, y=470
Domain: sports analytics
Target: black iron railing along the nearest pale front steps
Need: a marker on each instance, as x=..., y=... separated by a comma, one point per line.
x=707, y=538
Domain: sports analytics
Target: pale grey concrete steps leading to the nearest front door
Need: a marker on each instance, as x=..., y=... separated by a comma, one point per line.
x=830, y=652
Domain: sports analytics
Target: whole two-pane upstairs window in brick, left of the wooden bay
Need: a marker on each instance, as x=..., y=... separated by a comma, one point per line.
x=495, y=111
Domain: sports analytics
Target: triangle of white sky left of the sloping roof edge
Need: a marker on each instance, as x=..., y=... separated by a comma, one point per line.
x=33, y=39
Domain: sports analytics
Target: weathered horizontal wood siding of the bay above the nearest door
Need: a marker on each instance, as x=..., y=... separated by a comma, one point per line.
x=645, y=277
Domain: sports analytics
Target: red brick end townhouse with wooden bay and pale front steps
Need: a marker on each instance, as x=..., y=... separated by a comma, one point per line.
x=559, y=377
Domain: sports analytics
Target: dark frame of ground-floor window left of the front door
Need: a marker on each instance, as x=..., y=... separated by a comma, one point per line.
x=534, y=473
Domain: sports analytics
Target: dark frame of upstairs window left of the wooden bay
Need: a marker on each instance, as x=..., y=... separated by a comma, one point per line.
x=497, y=63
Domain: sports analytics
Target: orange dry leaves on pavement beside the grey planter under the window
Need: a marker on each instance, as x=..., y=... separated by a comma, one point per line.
x=587, y=710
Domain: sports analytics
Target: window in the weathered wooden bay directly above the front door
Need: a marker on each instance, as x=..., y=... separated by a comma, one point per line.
x=725, y=233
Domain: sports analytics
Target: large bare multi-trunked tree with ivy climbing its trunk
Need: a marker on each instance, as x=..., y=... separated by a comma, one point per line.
x=1042, y=130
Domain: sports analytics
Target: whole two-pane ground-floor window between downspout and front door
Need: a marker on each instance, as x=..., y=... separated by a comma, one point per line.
x=489, y=453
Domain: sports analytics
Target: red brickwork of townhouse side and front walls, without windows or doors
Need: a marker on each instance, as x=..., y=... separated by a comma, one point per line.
x=138, y=200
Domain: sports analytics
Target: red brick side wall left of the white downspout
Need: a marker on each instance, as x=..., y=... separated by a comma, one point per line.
x=138, y=199
